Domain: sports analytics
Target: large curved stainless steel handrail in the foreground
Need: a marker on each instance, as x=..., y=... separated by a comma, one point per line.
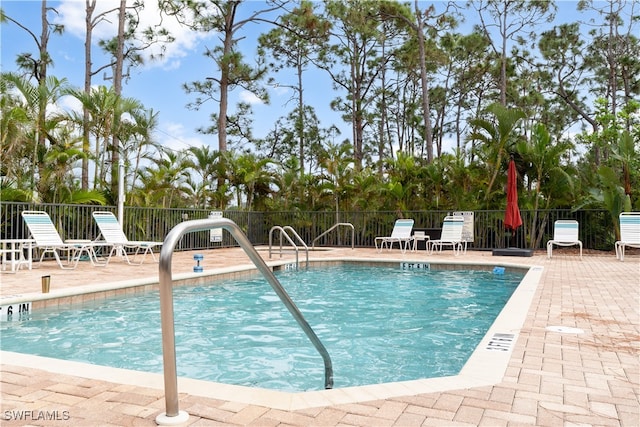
x=173, y=414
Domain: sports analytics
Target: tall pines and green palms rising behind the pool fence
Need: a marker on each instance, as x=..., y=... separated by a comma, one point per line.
x=406, y=80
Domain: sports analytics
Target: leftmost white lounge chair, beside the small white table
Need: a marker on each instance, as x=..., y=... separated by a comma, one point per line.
x=48, y=240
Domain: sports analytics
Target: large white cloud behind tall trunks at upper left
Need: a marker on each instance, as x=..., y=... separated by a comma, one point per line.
x=71, y=13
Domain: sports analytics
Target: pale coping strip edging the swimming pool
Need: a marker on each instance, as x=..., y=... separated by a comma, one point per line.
x=486, y=365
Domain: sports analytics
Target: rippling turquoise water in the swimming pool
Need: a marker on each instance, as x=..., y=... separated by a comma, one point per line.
x=379, y=324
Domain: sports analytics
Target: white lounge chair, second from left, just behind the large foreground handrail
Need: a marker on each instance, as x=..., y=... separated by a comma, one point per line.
x=111, y=232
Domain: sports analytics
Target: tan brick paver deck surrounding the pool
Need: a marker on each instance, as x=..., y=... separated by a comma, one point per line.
x=552, y=378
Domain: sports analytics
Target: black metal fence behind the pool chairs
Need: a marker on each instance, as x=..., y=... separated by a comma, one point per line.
x=597, y=229
